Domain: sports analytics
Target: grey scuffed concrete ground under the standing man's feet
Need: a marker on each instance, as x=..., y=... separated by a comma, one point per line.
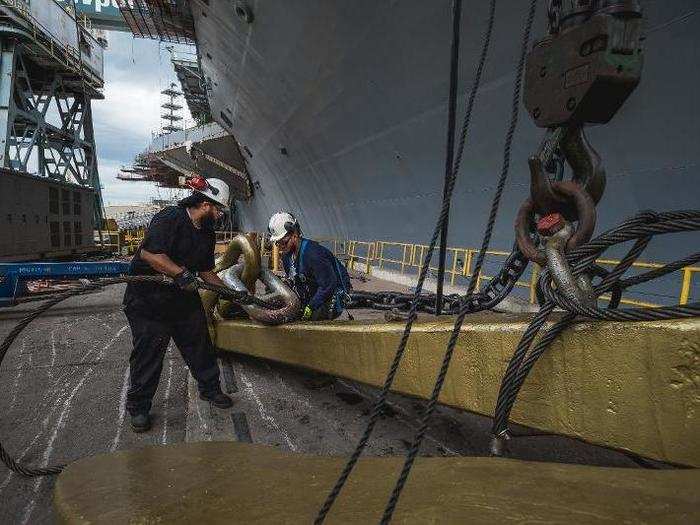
x=64, y=383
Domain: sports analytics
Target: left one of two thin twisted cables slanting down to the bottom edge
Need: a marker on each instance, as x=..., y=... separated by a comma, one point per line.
x=412, y=314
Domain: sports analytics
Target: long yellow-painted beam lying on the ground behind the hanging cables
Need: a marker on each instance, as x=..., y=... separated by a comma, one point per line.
x=631, y=386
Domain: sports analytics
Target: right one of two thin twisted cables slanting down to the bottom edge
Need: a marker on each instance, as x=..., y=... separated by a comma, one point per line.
x=430, y=407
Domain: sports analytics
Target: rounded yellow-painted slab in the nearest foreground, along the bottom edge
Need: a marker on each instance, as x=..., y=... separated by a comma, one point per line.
x=236, y=483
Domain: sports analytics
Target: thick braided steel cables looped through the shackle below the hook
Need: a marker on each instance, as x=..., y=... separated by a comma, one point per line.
x=642, y=228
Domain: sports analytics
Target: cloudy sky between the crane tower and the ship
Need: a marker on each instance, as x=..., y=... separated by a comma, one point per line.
x=135, y=70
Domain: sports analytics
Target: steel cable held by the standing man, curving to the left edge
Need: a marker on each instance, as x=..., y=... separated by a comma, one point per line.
x=7, y=459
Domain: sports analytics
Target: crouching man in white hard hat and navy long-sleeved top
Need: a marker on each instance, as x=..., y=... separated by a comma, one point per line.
x=320, y=280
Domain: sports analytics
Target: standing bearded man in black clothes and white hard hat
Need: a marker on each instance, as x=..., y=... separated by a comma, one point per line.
x=179, y=243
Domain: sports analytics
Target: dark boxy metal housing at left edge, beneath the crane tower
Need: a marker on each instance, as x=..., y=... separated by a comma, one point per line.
x=42, y=218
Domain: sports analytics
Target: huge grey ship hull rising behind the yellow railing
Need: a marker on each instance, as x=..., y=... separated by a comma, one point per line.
x=342, y=107
